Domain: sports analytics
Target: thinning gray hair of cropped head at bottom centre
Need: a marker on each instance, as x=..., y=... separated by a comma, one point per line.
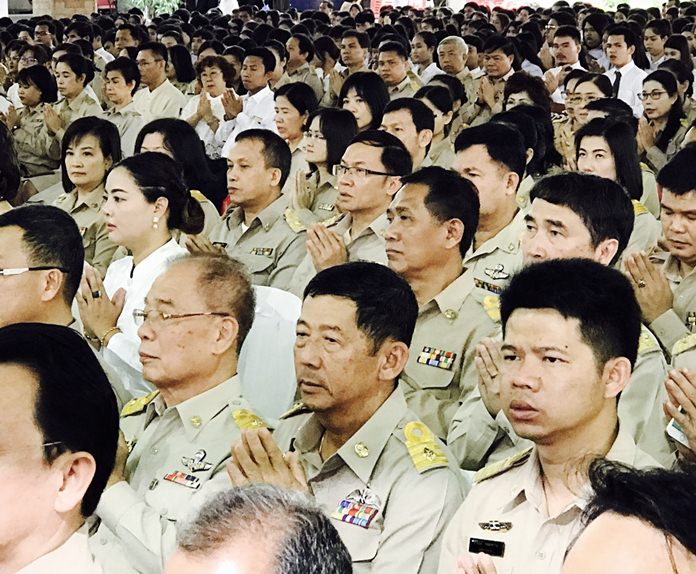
x=297, y=535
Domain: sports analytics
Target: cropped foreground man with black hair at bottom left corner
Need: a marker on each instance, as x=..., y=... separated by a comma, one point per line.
x=57, y=448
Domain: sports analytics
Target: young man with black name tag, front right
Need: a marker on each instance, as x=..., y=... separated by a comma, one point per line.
x=571, y=330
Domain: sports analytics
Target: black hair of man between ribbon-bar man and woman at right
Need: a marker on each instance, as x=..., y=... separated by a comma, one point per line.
x=504, y=144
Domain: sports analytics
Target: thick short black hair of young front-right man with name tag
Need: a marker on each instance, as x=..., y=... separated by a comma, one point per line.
x=599, y=297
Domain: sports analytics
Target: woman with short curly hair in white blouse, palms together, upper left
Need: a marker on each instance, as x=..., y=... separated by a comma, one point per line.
x=205, y=111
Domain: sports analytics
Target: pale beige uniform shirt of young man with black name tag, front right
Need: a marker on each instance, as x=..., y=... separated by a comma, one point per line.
x=510, y=507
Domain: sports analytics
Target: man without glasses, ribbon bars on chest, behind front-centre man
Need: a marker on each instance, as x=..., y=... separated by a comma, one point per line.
x=433, y=219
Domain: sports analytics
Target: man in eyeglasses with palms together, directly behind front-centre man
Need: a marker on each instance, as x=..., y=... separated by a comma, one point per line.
x=368, y=176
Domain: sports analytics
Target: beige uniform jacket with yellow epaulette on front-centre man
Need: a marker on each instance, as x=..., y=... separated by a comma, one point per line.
x=390, y=490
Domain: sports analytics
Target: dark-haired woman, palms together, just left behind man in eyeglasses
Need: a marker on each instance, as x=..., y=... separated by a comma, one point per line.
x=328, y=135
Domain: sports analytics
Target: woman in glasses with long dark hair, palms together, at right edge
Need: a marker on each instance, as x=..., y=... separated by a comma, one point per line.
x=661, y=130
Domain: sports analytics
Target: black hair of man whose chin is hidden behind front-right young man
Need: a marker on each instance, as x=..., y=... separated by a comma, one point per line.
x=604, y=207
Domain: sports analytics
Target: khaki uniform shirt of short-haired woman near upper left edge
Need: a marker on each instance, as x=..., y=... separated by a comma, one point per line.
x=38, y=151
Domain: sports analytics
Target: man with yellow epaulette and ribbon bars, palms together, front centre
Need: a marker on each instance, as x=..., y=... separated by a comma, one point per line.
x=385, y=480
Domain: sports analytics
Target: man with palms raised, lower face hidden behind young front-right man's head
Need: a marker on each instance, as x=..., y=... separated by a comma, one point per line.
x=568, y=218
